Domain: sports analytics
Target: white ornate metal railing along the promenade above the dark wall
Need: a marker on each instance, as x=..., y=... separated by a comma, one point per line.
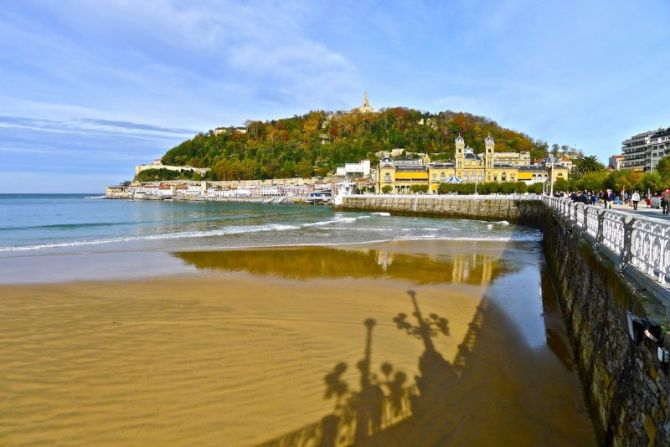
x=637, y=241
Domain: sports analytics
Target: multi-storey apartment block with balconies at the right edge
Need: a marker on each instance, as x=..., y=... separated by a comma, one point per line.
x=642, y=152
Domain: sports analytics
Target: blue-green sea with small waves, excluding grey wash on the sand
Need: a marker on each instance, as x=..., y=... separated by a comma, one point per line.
x=81, y=223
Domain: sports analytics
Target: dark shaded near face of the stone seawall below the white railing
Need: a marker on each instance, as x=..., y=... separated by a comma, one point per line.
x=624, y=383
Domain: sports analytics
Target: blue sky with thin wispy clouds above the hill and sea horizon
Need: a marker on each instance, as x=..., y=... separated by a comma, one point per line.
x=88, y=89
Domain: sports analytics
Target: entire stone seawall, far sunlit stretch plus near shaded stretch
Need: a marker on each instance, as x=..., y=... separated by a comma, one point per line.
x=625, y=384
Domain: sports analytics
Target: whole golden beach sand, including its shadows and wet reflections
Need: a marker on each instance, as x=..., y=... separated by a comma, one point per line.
x=239, y=353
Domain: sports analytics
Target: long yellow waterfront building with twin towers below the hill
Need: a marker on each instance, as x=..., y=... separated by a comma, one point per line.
x=467, y=167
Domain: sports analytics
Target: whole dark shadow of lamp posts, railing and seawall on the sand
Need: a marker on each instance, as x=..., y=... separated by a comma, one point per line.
x=447, y=400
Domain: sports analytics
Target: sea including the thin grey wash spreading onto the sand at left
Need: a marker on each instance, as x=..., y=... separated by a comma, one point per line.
x=56, y=238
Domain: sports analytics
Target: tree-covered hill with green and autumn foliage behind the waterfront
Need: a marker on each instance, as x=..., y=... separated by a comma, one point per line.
x=315, y=143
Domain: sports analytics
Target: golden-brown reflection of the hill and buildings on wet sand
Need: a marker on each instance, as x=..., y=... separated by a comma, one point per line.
x=324, y=262
